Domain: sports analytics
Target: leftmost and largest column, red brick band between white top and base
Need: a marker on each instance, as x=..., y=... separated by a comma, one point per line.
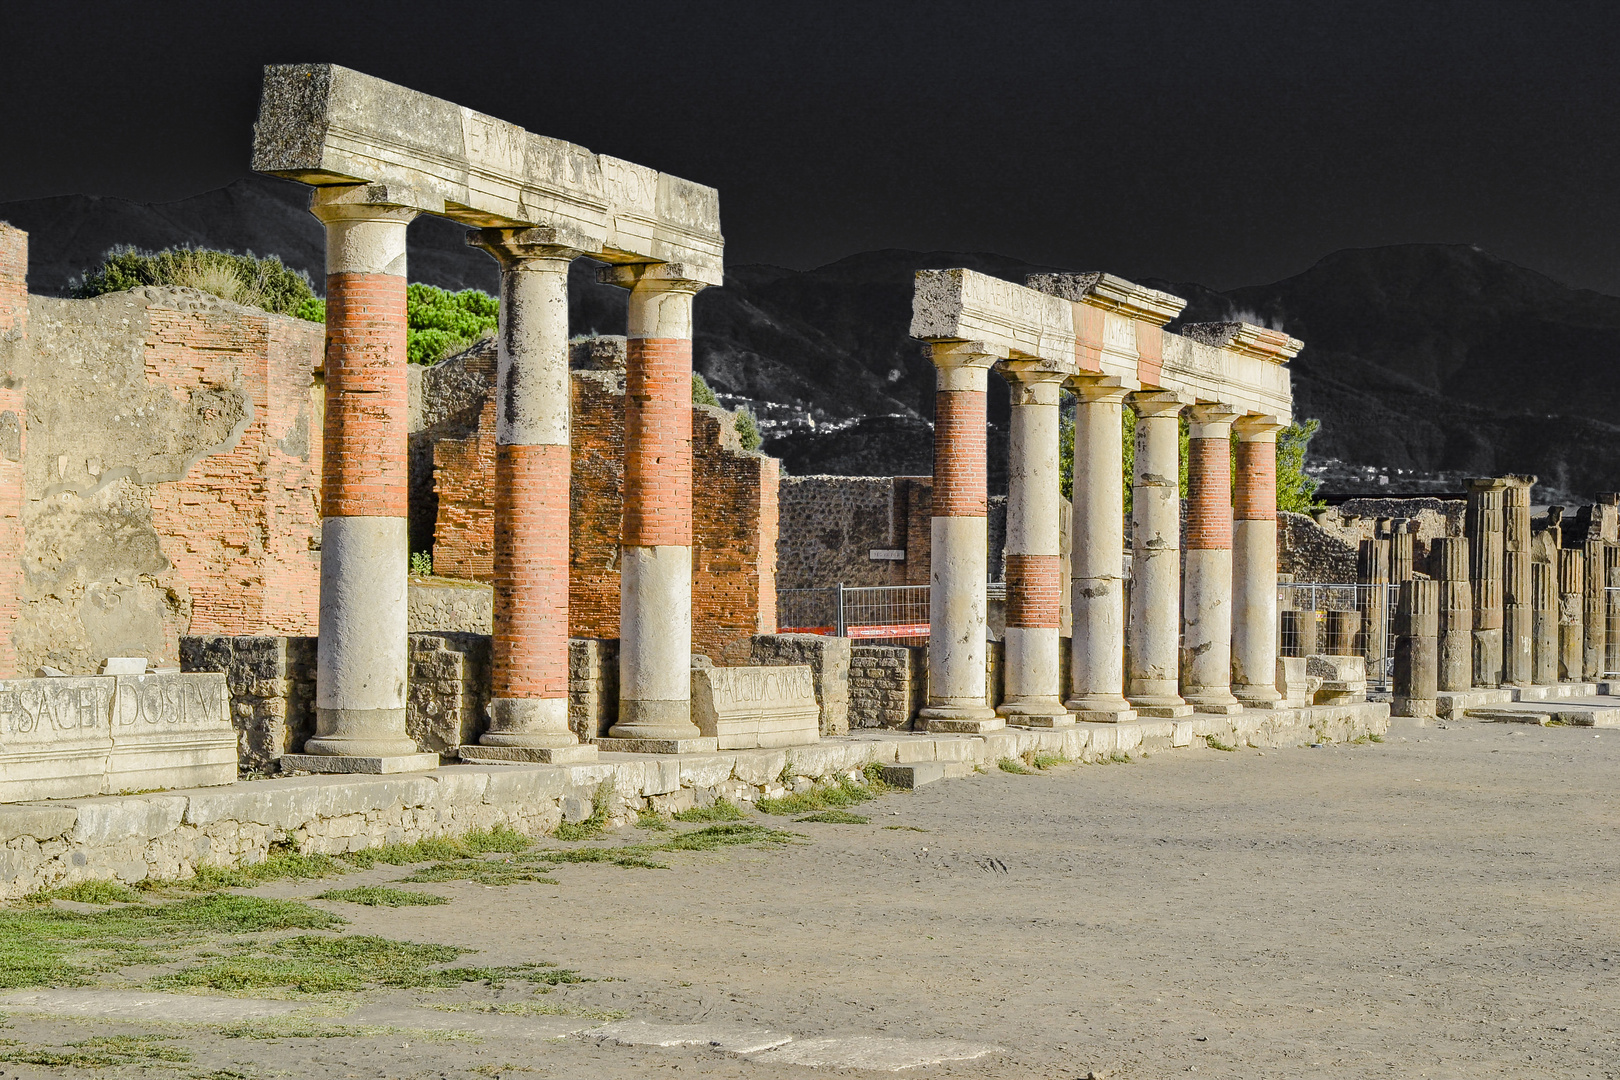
x=360, y=668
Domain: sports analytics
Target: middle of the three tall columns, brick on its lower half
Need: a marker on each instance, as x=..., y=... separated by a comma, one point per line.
x=529, y=707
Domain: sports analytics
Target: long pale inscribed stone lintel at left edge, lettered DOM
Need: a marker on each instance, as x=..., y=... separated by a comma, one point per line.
x=104, y=734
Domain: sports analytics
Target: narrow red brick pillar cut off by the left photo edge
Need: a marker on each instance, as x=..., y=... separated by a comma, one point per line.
x=14, y=438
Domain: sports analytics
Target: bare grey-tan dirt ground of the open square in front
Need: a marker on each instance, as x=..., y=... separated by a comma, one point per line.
x=1444, y=904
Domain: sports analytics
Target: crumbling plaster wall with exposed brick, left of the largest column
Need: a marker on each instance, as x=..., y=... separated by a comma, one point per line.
x=169, y=477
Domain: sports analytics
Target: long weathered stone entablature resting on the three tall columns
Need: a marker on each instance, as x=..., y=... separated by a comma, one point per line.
x=328, y=125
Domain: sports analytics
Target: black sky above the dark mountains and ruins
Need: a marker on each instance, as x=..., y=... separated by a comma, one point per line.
x=1224, y=143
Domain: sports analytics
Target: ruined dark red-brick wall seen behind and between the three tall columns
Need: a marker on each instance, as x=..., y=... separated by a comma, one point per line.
x=735, y=519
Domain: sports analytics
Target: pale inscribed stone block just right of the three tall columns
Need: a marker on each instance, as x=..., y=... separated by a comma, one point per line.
x=756, y=707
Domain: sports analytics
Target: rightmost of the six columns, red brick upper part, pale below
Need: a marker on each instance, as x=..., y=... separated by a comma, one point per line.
x=1255, y=564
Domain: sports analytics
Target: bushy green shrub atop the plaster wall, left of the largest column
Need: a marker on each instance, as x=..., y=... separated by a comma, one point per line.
x=242, y=279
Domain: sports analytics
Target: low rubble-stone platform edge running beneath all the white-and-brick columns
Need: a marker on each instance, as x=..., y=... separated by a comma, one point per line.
x=46, y=846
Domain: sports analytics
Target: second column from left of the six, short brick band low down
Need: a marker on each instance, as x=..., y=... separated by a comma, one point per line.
x=1034, y=563
